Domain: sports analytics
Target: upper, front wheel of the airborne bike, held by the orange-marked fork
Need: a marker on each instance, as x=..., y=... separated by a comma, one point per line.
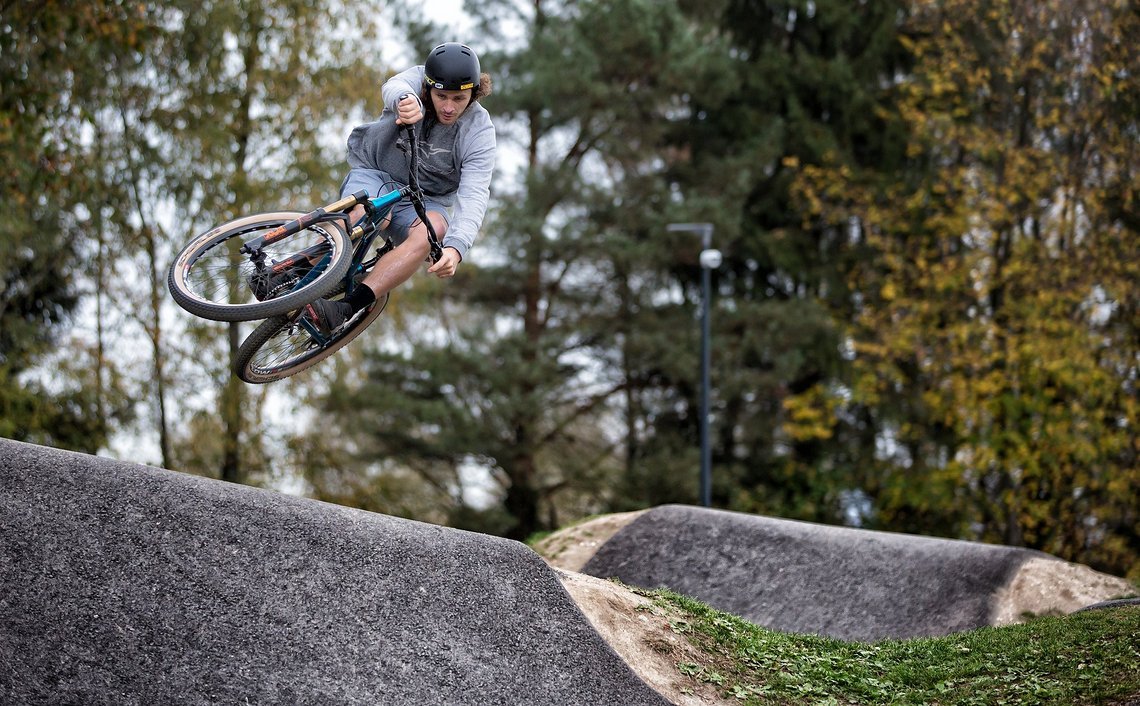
x=211, y=278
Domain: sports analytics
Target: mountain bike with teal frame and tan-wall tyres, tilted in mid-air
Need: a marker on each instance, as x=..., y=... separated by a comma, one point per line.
x=270, y=266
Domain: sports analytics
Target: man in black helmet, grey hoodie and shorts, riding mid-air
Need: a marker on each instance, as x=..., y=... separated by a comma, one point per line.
x=458, y=149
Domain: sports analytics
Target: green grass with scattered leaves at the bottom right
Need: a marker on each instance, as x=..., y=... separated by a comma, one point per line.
x=1084, y=659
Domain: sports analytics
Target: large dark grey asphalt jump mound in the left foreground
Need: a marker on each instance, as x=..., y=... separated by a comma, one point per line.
x=127, y=585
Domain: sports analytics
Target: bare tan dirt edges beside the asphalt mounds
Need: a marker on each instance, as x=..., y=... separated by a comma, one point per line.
x=640, y=631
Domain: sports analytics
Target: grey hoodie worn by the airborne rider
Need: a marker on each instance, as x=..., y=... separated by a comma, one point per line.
x=457, y=161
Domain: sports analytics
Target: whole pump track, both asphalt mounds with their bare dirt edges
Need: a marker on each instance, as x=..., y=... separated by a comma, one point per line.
x=128, y=585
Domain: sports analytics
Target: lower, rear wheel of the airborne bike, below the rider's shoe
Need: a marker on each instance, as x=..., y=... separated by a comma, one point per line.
x=283, y=346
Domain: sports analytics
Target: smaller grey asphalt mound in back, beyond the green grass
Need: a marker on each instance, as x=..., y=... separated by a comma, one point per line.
x=803, y=578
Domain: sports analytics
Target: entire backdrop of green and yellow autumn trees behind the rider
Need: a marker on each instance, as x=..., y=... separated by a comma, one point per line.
x=926, y=320
